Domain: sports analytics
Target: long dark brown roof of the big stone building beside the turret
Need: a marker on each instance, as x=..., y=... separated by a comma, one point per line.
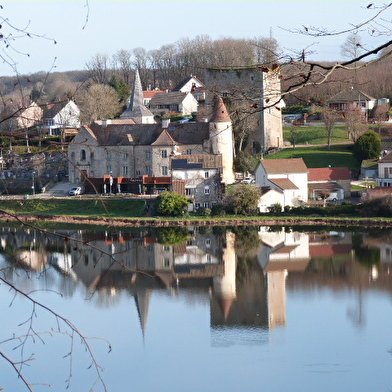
x=147, y=134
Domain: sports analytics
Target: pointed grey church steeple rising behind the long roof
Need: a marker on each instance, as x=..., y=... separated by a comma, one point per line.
x=136, y=109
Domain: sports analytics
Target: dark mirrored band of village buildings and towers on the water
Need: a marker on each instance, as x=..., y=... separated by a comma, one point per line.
x=244, y=271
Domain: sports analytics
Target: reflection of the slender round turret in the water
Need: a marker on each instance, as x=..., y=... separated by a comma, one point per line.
x=225, y=286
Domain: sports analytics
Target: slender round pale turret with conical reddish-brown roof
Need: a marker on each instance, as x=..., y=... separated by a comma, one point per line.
x=221, y=139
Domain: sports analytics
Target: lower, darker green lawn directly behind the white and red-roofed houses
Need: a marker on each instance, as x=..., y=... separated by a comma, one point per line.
x=338, y=156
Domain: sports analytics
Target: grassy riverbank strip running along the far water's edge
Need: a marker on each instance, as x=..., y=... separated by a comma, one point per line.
x=133, y=213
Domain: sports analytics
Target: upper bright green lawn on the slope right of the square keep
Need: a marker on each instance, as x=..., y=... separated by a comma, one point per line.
x=315, y=134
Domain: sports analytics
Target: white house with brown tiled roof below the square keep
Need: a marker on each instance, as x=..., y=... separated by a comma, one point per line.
x=287, y=177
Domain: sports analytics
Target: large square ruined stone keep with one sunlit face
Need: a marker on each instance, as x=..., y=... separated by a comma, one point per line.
x=254, y=92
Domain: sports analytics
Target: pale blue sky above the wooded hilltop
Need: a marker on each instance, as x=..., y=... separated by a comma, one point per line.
x=83, y=28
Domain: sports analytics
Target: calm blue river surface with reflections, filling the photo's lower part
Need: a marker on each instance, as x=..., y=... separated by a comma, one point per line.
x=217, y=309
